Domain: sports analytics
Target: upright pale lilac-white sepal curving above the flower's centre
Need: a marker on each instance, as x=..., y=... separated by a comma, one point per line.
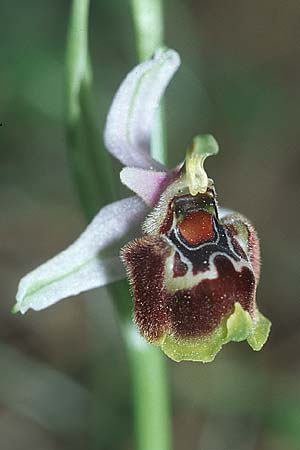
x=127, y=133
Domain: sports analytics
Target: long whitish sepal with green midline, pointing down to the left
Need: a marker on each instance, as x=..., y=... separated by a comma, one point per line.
x=83, y=266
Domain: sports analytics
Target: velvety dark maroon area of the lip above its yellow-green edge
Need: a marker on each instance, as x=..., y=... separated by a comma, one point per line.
x=187, y=313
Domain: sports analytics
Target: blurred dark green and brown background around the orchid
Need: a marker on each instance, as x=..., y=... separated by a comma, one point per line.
x=239, y=80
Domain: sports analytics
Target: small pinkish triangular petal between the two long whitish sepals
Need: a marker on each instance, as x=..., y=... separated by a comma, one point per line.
x=147, y=184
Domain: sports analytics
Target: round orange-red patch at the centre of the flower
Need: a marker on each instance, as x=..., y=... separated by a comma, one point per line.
x=197, y=227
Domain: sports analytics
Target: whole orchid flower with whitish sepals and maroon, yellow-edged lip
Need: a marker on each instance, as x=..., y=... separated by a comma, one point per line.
x=195, y=269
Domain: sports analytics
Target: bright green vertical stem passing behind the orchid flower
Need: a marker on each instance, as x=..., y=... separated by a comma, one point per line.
x=152, y=409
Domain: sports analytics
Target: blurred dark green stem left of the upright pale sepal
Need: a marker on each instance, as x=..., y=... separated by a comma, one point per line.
x=90, y=165
